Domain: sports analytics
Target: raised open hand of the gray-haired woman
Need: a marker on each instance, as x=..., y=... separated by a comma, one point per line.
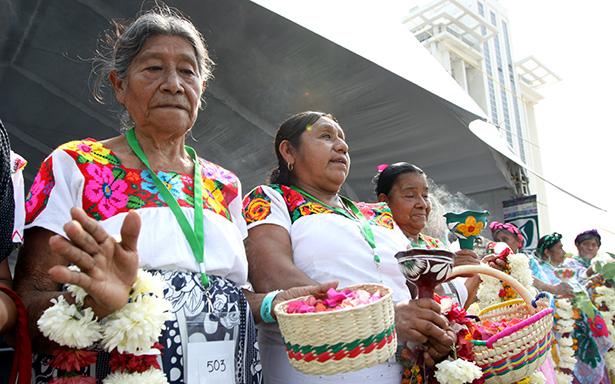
x=108, y=268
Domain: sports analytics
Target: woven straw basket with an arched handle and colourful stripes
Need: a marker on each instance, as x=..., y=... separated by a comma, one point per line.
x=517, y=351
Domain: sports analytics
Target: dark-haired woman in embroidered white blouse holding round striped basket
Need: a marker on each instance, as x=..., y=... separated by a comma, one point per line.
x=301, y=231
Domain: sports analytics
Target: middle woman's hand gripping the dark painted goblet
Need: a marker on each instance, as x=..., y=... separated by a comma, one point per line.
x=420, y=320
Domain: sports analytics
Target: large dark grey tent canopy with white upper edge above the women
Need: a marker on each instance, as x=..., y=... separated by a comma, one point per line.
x=268, y=67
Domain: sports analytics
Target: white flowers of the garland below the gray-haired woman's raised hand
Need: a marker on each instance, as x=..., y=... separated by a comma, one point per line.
x=133, y=329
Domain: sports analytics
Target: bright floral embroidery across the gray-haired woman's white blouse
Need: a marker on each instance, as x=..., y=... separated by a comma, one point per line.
x=110, y=188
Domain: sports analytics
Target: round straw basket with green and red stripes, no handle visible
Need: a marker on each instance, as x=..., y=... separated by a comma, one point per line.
x=348, y=339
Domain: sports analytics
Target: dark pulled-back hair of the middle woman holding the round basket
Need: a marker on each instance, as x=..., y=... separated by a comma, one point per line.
x=291, y=130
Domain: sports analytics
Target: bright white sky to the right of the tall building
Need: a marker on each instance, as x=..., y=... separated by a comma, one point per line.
x=576, y=117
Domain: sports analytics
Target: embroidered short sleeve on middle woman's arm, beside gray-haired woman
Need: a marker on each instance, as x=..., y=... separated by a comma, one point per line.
x=265, y=205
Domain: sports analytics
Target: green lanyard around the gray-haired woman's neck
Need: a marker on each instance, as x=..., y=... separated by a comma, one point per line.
x=195, y=237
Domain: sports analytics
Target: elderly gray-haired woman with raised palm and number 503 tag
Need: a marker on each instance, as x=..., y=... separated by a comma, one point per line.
x=177, y=214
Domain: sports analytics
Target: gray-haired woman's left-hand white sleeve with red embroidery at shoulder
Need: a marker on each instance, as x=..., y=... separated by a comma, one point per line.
x=57, y=188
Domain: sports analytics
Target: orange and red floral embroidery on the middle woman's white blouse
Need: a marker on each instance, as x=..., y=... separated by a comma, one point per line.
x=257, y=206
